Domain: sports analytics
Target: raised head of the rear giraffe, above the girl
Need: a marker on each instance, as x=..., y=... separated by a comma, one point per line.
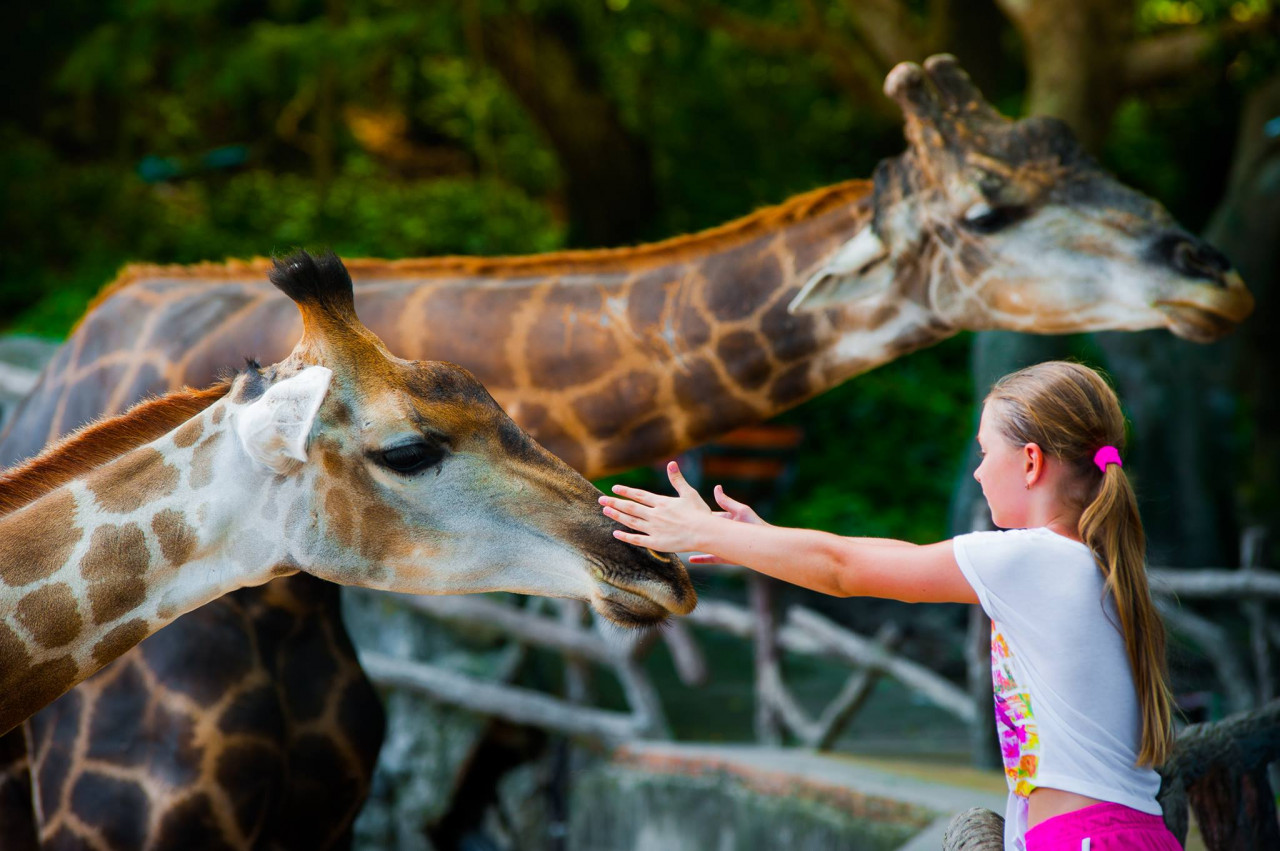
x=988, y=223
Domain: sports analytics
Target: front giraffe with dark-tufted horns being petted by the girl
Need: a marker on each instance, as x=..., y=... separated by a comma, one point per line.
x=342, y=463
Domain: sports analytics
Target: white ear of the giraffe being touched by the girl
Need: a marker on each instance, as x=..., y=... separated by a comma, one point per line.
x=273, y=429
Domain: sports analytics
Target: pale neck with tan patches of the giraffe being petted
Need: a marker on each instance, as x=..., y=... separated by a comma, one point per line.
x=97, y=565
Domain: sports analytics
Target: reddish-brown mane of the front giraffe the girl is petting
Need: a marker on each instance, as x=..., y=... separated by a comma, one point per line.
x=98, y=443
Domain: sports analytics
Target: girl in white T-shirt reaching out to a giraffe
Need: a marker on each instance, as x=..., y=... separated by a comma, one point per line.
x=1077, y=648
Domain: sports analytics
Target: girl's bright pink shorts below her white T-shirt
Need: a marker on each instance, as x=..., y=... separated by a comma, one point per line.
x=1103, y=827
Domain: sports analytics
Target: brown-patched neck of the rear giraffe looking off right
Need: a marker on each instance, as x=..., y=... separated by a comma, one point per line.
x=616, y=359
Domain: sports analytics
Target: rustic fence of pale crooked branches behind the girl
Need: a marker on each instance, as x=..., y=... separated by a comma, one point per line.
x=1247, y=679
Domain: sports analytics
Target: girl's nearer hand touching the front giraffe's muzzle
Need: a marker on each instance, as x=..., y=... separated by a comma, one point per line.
x=669, y=524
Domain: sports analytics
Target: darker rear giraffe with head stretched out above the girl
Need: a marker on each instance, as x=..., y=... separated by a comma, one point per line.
x=618, y=358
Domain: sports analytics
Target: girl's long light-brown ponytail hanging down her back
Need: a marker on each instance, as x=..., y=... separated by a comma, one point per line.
x=1113, y=529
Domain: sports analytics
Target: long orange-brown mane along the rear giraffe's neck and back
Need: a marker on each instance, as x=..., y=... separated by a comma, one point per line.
x=764, y=221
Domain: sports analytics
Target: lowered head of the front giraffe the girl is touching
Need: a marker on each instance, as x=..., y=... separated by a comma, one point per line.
x=415, y=481
